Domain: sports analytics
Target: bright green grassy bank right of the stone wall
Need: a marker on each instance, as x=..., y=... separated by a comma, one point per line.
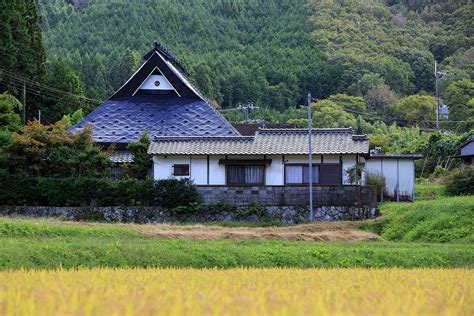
x=449, y=219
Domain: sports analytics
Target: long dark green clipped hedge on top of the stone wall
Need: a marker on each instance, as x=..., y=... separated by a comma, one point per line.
x=37, y=191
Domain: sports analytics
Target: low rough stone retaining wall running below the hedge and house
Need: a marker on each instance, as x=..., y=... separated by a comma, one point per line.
x=142, y=215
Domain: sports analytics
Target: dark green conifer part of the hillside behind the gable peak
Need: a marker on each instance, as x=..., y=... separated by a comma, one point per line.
x=259, y=50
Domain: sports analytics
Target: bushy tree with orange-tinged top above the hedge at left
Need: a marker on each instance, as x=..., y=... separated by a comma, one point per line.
x=53, y=151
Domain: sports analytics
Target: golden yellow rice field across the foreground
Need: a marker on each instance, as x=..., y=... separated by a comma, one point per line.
x=238, y=292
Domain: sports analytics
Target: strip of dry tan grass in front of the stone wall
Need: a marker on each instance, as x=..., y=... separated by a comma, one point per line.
x=320, y=231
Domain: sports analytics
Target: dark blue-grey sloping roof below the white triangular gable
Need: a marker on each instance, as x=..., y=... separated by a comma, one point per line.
x=125, y=120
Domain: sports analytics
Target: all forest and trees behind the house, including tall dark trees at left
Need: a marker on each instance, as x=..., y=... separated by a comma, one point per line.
x=368, y=64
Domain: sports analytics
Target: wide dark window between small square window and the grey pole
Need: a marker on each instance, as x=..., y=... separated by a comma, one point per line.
x=245, y=174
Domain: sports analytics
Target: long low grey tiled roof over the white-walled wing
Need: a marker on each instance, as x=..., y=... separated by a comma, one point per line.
x=265, y=142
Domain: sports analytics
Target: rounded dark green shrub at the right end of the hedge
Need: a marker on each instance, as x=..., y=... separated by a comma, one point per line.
x=172, y=193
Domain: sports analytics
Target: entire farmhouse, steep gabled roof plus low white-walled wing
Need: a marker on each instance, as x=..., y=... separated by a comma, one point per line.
x=191, y=139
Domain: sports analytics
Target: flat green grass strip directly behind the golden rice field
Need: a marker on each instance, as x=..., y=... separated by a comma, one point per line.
x=34, y=244
